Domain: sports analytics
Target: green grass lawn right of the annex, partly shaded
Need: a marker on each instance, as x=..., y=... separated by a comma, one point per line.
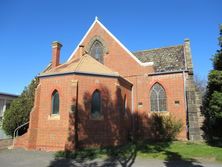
x=181, y=150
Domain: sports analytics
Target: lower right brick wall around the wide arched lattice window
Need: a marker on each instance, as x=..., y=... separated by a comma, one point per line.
x=173, y=85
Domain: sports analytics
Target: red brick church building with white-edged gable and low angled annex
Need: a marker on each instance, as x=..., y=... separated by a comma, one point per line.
x=93, y=97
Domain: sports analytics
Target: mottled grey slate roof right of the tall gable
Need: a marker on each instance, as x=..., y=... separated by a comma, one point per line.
x=165, y=59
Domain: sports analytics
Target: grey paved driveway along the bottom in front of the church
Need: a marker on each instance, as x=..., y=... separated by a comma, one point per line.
x=22, y=158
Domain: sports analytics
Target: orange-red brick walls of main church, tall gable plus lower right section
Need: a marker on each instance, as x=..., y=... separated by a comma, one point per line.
x=119, y=60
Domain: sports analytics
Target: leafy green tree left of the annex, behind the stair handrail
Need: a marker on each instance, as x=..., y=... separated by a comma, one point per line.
x=18, y=112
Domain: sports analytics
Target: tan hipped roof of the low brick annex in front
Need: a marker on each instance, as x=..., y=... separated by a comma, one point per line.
x=85, y=64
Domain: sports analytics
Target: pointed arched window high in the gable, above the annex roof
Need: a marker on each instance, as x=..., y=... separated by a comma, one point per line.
x=96, y=51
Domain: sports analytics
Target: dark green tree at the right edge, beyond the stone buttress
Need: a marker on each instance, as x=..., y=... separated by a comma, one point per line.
x=213, y=98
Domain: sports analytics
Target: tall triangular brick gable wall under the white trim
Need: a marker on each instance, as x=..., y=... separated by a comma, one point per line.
x=117, y=58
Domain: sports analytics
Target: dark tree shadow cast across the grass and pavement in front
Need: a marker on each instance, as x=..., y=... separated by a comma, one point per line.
x=124, y=156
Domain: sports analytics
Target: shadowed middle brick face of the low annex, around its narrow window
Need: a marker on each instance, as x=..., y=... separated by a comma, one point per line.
x=104, y=131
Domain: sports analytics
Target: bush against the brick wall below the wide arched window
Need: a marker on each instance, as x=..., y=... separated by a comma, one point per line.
x=164, y=127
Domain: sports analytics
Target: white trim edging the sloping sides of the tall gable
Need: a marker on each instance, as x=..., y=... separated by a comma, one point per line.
x=102, y=26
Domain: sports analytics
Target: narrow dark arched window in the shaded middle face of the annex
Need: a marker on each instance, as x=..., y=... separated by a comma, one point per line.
x=96, y=104
